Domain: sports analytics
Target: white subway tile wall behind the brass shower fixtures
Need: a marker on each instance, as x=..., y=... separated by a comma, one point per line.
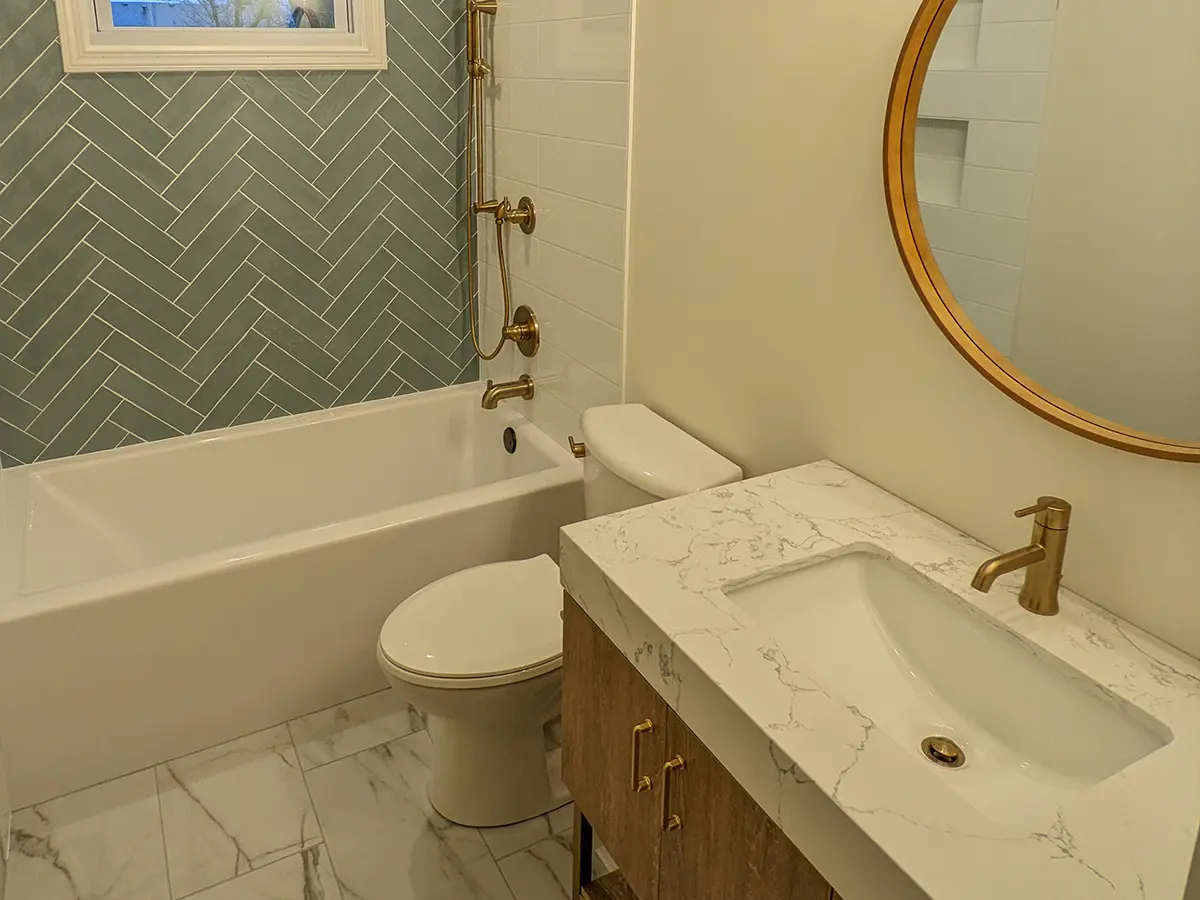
x=559, y=117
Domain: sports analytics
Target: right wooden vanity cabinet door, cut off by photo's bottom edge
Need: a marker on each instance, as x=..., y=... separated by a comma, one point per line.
x=725, y=847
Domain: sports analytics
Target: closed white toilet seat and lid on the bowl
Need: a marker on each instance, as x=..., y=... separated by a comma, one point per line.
x=484, y=627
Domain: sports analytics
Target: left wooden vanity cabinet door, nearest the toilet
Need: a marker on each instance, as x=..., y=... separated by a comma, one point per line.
x=604, y=701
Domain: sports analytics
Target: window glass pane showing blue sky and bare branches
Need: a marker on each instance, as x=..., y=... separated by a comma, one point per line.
x=223, y=14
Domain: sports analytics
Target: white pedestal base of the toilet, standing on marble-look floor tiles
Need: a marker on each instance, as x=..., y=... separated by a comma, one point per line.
x=487, y=776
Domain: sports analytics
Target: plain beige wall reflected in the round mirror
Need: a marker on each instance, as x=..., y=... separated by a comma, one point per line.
x=1115, y=219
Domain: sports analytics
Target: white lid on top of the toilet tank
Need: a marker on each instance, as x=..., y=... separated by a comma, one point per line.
x=652, y=454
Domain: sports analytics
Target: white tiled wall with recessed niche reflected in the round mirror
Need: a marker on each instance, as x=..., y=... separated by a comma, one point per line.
x=987, y=85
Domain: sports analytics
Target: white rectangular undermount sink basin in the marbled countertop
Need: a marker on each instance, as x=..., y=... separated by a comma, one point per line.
x=920, y=662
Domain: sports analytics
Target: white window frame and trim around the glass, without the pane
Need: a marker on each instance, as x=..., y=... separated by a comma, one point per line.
x=359, y=41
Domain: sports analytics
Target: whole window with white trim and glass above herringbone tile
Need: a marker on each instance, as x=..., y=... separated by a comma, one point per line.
x=206, y=35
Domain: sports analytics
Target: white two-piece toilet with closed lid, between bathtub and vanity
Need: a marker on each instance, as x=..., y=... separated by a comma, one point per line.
x=482, y=651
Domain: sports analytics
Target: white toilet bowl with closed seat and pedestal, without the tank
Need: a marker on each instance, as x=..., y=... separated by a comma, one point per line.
x=482, y=653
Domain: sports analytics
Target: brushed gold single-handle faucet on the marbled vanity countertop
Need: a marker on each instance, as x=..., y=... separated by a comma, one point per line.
x=1043, y=559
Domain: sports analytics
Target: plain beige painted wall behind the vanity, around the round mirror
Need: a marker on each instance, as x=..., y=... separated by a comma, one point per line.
x=771, y=315
